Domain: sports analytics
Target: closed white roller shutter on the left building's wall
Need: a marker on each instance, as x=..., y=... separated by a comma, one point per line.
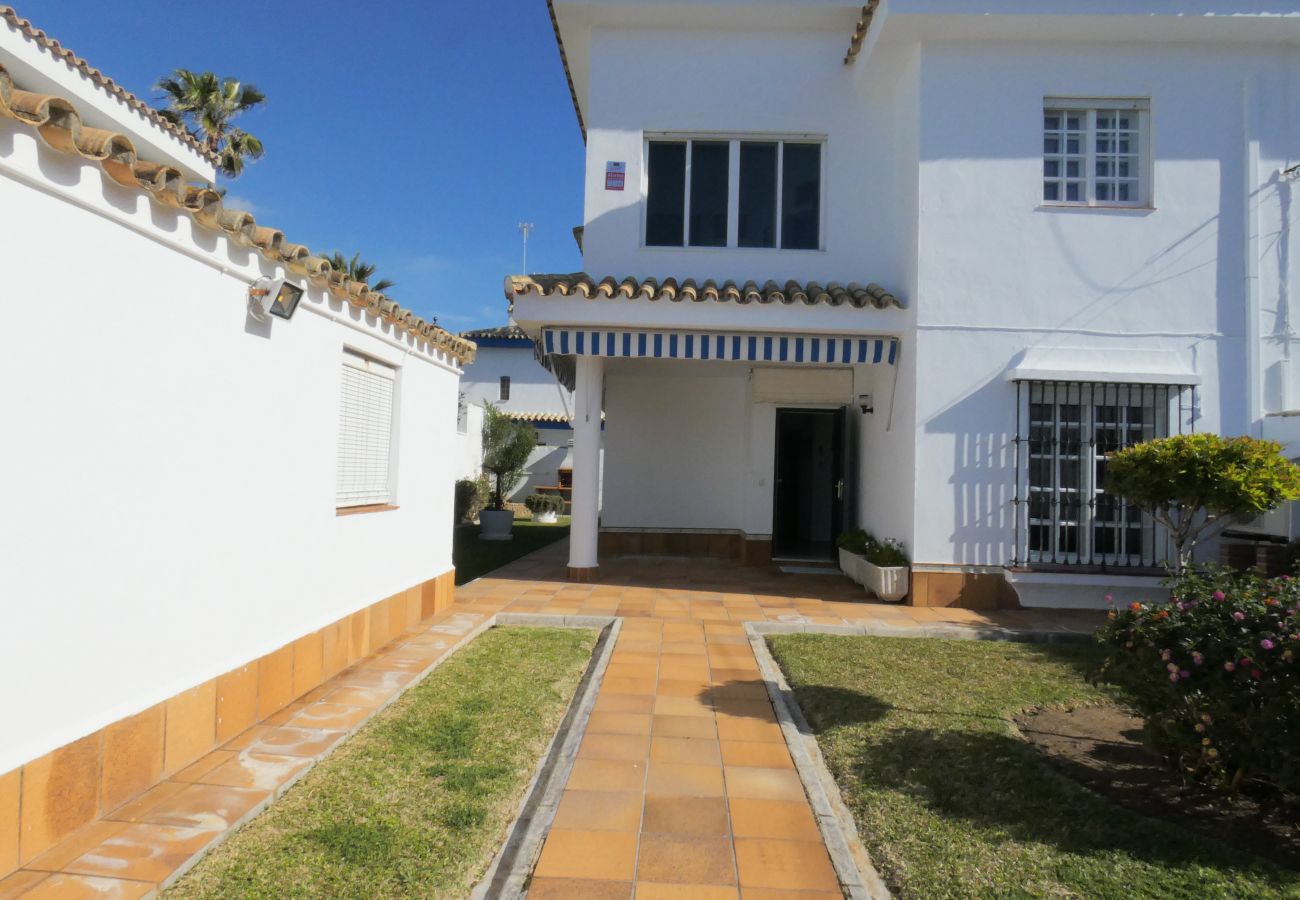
x=365, y=432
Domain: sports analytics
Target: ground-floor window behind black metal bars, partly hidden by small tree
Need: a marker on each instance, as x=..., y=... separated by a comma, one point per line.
x=1065, y=436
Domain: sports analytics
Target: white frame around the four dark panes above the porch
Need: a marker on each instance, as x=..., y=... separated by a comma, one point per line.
x=735, y=141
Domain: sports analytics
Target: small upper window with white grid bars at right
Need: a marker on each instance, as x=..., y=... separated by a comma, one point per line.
x=1095, y=153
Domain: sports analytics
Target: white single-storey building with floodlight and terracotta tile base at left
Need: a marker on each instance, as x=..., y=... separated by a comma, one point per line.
x=206, y=514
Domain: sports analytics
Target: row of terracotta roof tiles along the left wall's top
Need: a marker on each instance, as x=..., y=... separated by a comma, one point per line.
x=59, y=126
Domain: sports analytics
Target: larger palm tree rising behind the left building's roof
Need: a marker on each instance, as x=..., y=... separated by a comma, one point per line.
x=207, y=106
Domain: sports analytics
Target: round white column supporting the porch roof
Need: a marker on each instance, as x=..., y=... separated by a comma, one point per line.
x=584, y=533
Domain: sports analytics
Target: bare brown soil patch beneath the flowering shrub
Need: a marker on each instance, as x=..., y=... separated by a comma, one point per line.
x=1102, y=747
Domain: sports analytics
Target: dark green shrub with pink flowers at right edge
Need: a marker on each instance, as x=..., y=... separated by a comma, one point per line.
x=1216, y=676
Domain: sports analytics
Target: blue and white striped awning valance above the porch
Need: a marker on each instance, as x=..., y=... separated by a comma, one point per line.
x=731, y=347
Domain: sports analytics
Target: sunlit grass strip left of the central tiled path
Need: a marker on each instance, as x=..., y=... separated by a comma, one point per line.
x=415, y=804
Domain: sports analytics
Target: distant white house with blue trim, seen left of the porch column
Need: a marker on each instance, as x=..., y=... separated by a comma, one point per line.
x=508, y=375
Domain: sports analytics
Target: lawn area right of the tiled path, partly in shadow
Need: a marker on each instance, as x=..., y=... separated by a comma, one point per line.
x=951, y=803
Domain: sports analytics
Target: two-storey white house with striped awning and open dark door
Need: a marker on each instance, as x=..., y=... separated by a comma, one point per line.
x=920, y=267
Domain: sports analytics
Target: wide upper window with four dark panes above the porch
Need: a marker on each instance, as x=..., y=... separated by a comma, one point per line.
x=734, y=193
